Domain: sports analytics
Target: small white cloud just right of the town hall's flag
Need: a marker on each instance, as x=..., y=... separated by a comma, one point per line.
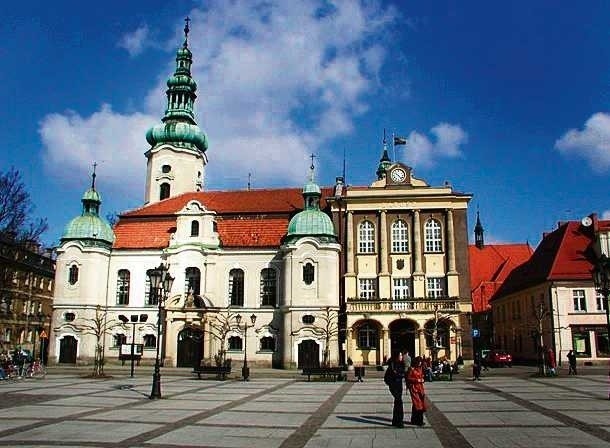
x=421, y=152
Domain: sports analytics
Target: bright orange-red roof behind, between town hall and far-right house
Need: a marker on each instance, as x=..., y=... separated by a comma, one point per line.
x=489, y=267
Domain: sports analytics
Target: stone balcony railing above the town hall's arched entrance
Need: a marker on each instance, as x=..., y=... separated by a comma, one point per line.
x=417, y=305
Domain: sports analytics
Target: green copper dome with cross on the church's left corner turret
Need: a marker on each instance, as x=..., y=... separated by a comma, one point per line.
x=89, y=227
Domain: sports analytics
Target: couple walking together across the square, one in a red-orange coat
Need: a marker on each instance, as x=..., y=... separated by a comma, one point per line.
x=412, y=374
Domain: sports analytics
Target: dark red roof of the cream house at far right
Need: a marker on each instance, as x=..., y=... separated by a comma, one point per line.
x=564, y=254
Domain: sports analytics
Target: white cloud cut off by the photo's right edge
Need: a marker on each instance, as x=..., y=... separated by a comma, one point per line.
x=591, y=144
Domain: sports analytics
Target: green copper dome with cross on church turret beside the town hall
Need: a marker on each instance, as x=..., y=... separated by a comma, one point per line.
x=312, y=221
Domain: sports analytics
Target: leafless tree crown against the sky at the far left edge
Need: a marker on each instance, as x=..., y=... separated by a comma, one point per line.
x=16, y=210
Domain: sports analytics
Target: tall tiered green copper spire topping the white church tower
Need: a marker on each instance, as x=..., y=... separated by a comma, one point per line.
x=179, y=126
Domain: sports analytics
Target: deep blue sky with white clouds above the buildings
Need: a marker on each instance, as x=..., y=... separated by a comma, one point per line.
x=508, y=101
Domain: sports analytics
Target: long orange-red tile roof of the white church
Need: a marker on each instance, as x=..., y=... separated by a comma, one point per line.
x=245, y=218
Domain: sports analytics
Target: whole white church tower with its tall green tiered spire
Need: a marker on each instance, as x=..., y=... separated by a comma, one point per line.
x=177, y=157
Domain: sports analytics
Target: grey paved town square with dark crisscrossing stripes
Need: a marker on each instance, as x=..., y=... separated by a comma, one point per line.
x=499, y=411
